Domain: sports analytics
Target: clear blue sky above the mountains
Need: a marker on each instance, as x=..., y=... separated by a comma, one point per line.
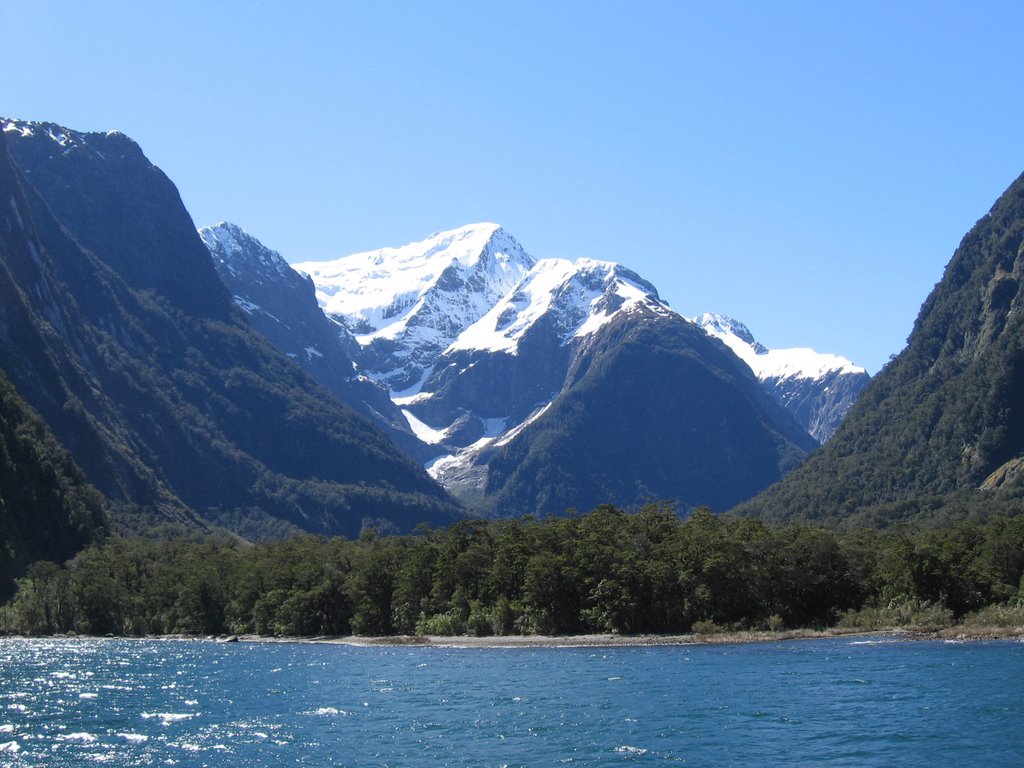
x=808, y=168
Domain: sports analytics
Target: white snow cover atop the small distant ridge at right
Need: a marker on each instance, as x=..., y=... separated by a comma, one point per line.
x=774, y=364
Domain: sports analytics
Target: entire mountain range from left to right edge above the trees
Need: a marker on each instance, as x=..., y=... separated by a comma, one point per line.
x=195, y=378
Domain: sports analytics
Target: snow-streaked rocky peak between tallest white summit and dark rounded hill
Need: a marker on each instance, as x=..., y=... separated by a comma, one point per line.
x=507, y=368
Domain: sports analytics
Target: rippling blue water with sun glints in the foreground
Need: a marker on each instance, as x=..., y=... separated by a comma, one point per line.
x=835, y=703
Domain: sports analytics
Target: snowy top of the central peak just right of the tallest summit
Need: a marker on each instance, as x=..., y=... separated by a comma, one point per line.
x=577, y=297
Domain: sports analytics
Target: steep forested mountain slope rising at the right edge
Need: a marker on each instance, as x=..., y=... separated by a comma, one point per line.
x=946, y=416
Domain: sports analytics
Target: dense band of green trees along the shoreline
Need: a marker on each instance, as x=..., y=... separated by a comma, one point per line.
x=603, y=572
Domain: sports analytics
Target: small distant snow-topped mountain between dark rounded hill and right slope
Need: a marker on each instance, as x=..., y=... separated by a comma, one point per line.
x=818, y=390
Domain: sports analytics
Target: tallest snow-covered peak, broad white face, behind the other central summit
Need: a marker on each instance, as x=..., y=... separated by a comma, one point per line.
x=406, y=306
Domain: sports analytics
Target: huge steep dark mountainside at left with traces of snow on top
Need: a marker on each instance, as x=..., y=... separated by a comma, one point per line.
x=116, y=328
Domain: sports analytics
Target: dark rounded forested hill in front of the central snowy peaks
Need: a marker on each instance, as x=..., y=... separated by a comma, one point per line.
x=654, y=409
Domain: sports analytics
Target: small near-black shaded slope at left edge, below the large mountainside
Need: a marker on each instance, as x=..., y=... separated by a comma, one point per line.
x=48, y=510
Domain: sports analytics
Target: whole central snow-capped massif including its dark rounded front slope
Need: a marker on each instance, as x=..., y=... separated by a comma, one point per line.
x=493, y=357
